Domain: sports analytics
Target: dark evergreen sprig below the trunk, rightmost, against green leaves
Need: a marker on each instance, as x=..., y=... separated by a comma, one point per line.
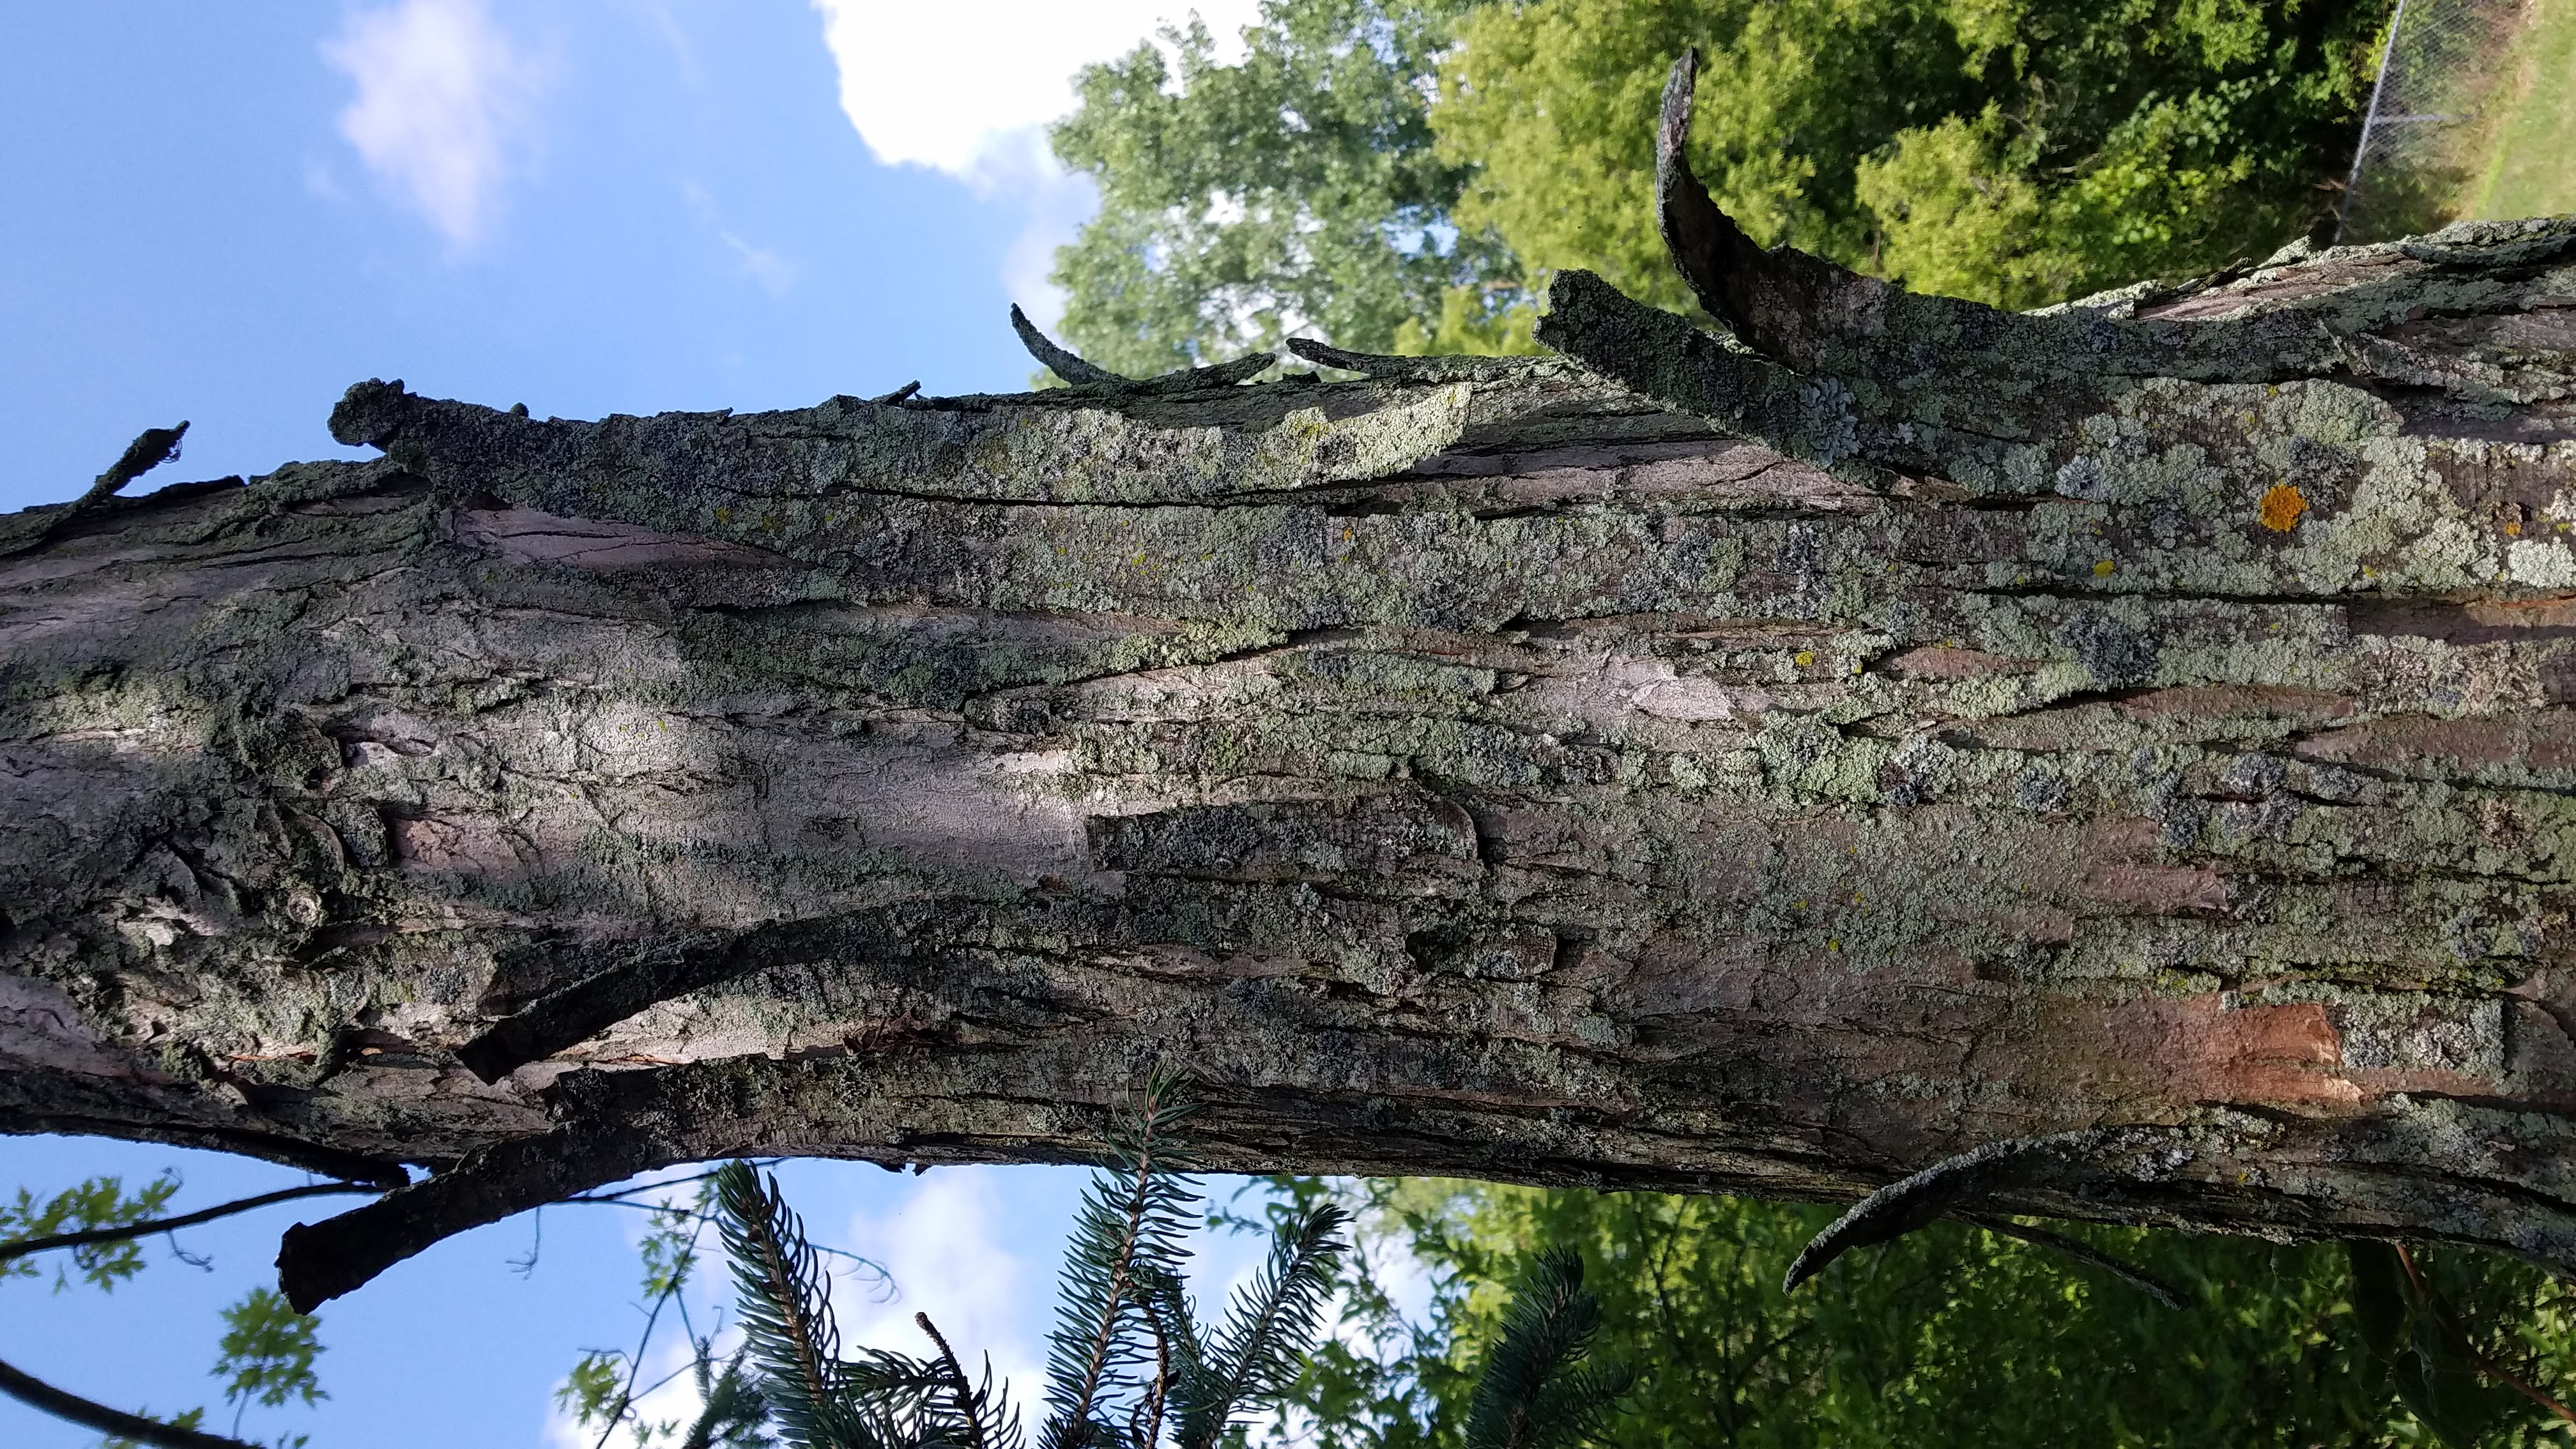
x=1537, y=1388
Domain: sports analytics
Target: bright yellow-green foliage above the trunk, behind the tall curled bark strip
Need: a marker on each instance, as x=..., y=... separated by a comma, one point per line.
x=2008, y=151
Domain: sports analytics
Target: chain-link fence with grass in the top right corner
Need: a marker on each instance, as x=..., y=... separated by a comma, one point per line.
x=2448, y=76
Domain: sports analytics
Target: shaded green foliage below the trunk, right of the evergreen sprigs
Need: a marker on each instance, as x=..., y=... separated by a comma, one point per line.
x=1946, y=1337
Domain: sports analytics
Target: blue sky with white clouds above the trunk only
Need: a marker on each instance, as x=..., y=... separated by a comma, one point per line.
x=231, y=213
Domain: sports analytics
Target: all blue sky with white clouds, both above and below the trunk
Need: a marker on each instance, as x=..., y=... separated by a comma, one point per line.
x=231, y=213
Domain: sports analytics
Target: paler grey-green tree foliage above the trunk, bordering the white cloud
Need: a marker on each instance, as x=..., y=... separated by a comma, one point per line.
x=1243, y=202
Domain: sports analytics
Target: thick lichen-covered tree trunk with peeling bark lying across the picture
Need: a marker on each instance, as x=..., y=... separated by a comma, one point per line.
x=1722, y=767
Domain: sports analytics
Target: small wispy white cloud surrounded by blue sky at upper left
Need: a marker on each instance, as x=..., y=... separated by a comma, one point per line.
x=444, y=107
